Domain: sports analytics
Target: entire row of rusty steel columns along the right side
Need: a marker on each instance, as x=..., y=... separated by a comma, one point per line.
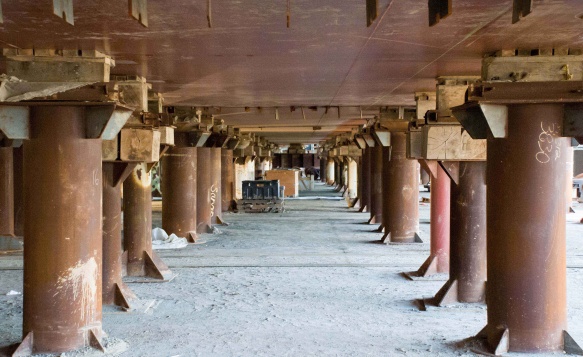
x=516, y=200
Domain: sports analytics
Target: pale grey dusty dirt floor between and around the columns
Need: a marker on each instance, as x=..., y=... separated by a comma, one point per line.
x=313, y=281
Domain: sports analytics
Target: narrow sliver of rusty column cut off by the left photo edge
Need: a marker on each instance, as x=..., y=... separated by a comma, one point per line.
x=6, y=191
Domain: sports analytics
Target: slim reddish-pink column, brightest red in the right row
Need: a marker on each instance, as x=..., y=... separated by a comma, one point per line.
x=438, y=260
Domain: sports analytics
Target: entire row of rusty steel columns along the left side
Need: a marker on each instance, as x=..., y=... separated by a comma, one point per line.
x=73, y=211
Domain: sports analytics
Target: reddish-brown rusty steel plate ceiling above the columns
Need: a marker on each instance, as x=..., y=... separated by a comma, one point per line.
x=326, y=58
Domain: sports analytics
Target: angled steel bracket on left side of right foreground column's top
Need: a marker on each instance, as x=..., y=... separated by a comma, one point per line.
x=478, y=119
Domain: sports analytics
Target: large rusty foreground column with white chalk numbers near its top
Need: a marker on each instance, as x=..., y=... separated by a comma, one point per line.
x=526, y=290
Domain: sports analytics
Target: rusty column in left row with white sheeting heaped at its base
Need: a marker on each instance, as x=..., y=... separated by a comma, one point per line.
x=179, y=190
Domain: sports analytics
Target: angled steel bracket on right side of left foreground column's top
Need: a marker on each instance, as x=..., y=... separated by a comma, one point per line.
x=105, y=122
